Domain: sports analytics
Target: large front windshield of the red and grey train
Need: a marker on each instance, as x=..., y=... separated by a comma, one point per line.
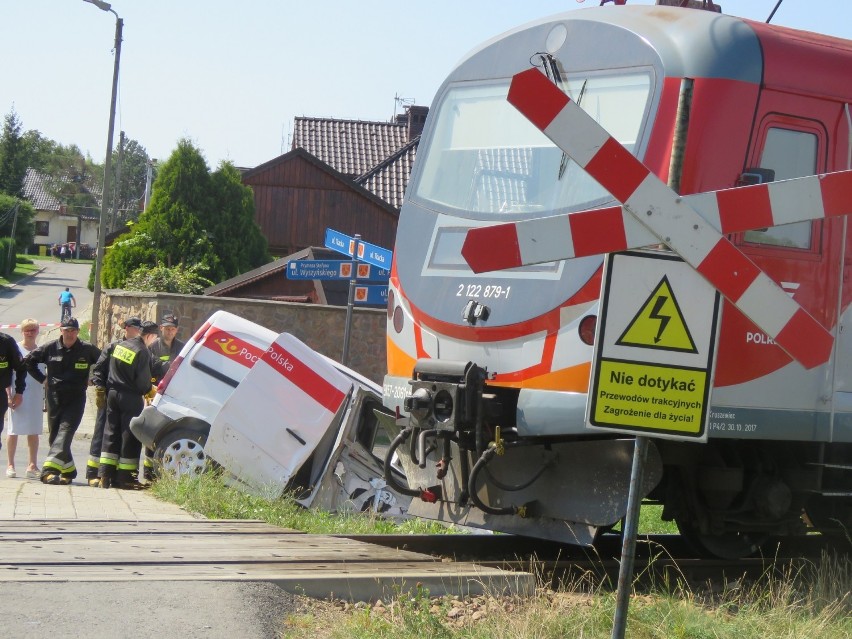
x=484, y=159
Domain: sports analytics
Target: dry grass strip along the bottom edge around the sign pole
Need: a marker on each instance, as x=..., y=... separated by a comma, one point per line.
x=788, y=607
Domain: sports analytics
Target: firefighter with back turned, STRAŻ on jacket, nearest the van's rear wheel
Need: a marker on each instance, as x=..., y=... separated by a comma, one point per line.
x=128, y=380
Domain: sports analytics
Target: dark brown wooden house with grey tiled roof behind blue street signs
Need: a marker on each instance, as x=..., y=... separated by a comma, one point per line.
x=348, y=175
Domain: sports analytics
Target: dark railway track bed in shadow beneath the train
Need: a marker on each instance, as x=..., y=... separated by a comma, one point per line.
x=658, y=557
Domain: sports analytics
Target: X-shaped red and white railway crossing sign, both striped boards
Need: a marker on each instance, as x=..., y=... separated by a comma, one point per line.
x=673, y=220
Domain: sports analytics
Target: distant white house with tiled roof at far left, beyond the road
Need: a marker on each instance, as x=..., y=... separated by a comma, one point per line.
x=55, y=221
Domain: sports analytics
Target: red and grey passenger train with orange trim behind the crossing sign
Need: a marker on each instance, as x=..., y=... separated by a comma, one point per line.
x=488, y=373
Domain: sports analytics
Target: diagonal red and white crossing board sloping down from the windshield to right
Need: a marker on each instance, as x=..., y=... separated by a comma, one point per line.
x=670, y=218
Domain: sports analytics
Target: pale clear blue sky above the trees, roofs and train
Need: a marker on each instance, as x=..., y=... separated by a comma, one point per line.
x=232, y=75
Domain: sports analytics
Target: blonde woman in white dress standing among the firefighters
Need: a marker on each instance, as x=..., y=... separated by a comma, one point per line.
x=28, y=418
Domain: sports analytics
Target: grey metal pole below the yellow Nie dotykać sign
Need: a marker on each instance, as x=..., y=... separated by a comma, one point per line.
x=628, y=543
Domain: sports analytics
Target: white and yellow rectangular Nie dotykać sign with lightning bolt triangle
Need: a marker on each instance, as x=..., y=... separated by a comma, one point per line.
x=655, y=349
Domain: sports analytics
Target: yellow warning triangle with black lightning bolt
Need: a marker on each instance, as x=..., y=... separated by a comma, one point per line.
x=659, y=323
